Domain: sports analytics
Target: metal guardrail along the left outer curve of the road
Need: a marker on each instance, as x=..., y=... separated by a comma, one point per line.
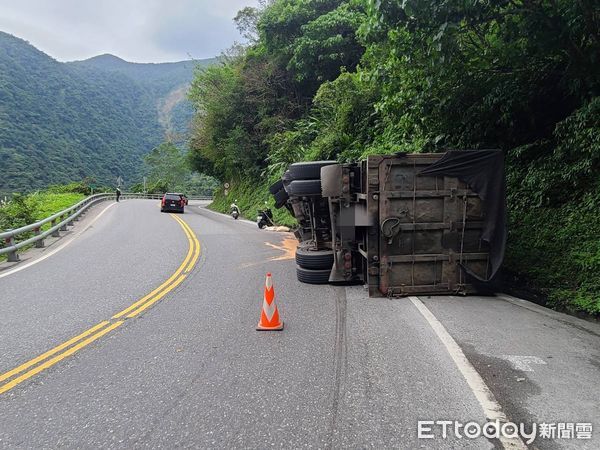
x=60, y=221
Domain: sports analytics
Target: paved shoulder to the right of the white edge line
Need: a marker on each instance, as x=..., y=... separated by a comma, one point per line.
x=542, y=366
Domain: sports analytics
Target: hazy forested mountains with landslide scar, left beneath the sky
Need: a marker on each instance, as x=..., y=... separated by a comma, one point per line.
x=61, y=122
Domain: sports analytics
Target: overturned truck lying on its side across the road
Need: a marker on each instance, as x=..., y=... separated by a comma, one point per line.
x=405, y=224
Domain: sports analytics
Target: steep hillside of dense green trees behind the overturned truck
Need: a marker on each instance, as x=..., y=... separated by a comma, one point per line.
x=344, y=79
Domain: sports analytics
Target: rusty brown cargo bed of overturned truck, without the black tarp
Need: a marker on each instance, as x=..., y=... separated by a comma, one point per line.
x=426, y=228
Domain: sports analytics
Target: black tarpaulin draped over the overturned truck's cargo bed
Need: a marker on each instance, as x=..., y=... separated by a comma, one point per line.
x=483, y=171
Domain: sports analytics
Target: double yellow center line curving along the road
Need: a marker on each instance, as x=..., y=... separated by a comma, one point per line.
x=12, y=378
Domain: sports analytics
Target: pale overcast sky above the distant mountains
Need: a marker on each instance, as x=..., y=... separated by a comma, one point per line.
x=135, y=30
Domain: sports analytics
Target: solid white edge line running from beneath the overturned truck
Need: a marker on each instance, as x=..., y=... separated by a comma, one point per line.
x=483, y=394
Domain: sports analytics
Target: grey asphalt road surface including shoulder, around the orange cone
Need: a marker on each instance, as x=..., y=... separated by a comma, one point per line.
x=191, y=371
